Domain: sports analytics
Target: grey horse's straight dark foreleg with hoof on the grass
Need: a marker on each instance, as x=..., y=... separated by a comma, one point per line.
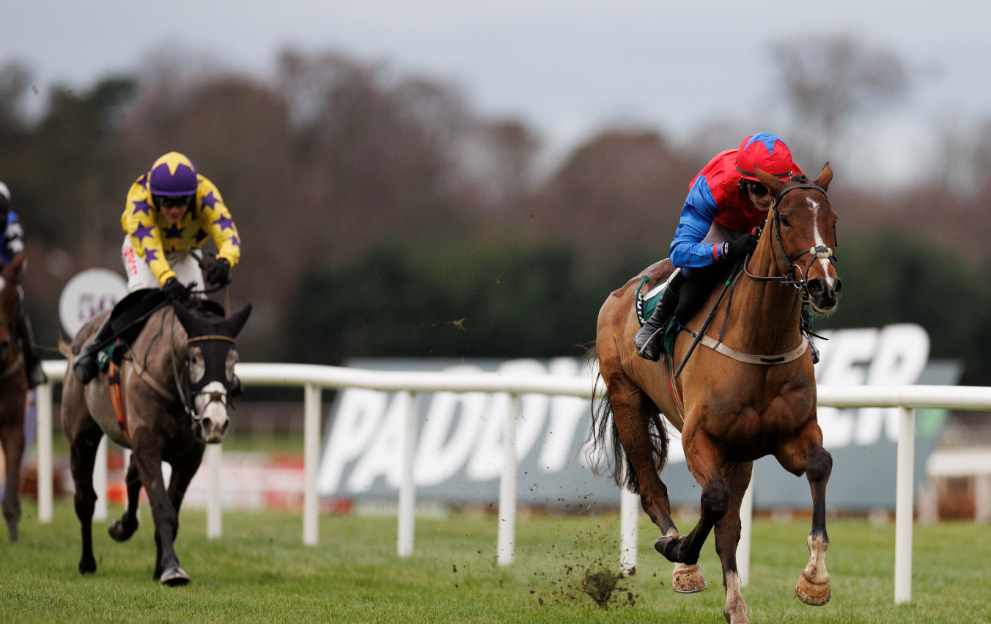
x=148, y=451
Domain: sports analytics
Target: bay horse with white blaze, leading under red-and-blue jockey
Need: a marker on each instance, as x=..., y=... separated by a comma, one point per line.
x=734, y=411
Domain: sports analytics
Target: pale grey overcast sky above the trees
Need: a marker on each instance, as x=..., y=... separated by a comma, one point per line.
x=565, y=67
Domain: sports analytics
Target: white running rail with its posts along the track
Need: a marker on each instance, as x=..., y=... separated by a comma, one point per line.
x=314, y=378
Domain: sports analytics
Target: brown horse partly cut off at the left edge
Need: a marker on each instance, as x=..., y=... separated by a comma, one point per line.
x=13, y=394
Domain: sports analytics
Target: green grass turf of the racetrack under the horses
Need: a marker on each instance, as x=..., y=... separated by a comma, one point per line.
x=260, y=571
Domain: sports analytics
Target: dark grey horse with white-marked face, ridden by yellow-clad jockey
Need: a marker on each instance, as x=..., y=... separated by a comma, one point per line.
x=174, y=387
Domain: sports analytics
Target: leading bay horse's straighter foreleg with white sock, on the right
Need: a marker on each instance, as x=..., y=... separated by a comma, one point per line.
x=805, y=453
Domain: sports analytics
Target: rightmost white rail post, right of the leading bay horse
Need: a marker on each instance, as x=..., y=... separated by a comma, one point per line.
x=903, y=505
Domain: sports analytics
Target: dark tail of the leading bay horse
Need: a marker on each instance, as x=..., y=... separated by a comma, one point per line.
x=603, y=444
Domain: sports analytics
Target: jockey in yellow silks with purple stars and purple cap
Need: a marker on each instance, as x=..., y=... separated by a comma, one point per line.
x=170, y=211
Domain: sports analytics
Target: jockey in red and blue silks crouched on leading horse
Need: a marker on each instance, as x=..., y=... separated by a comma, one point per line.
x=725, y=205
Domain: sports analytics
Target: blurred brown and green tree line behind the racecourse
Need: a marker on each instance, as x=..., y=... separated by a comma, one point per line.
x=380, y=215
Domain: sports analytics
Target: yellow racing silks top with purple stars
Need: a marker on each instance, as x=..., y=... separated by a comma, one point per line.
x=152, y=236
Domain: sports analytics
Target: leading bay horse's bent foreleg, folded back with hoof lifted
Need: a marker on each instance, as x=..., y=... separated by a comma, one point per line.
x=705, y=463
